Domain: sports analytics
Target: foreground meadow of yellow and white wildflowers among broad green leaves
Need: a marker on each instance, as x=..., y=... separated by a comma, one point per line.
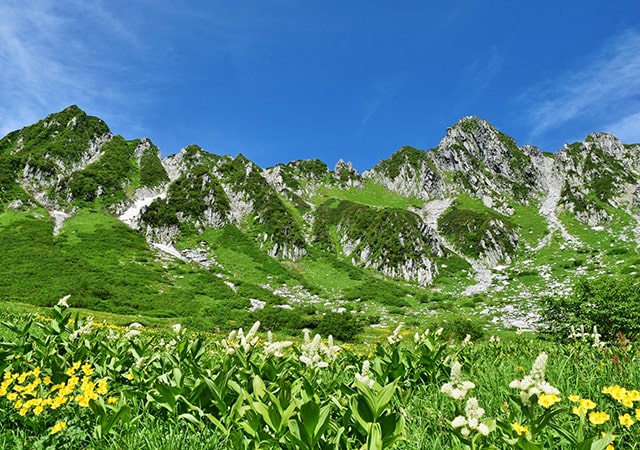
x=69, y=382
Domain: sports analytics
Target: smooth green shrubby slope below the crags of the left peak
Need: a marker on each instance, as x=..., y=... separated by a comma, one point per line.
x=106, y=266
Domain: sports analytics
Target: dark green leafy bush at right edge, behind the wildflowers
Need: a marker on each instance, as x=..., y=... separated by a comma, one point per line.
x=611, y=303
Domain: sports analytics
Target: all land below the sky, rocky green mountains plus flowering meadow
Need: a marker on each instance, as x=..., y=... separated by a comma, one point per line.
x=476, y=295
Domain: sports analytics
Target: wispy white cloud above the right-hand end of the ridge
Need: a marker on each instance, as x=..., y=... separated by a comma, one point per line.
x=605, y=89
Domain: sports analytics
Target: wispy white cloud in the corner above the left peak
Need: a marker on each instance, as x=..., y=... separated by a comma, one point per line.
x=54, y=54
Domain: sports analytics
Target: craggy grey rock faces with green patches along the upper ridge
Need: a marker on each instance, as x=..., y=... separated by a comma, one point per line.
x=477, y=198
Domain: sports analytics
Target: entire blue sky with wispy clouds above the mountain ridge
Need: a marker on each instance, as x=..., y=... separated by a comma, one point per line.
x=279, y=80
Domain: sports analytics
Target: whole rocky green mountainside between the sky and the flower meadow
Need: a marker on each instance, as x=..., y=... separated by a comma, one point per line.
x=476, y=223
